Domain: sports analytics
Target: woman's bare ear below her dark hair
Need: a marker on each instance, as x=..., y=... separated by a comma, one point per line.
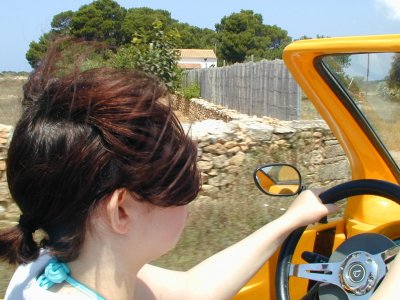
x=117, y=211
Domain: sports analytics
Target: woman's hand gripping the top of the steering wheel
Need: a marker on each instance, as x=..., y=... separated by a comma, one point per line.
x=307, y=208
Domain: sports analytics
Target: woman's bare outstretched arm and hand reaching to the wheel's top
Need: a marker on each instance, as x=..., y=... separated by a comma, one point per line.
x=222, y=275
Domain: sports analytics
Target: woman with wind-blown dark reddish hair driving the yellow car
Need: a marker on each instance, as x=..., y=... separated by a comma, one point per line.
x=100, y=164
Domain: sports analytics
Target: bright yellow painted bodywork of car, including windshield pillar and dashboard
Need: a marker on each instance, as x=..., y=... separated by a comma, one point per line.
x=363, y=213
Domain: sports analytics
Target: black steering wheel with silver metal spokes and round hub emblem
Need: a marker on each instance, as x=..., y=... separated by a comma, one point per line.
x=357, y=266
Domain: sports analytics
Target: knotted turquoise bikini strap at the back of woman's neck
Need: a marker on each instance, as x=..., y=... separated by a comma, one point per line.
x=57, y=272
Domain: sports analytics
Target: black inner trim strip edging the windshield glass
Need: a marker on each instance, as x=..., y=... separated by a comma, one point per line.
x=348, y=102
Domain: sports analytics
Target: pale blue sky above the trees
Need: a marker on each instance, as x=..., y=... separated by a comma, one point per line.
x=23, y=21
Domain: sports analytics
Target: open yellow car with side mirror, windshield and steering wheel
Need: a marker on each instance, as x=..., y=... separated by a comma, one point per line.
x=354, y=83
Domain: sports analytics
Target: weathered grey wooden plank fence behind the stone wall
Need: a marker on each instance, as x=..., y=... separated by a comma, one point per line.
x=265, y=88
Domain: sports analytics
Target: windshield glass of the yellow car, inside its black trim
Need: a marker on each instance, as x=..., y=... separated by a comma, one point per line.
x=372, y=81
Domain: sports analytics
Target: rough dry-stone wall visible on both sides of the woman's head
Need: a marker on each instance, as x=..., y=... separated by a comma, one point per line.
x=229, y=144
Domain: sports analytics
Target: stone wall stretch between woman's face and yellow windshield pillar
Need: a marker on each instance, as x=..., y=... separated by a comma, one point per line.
x=224, y=149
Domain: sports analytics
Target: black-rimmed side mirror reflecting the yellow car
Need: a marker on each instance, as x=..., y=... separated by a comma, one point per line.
x=278, y=179
